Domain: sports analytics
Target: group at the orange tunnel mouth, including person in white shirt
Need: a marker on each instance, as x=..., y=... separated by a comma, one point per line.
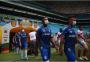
x=22, y=46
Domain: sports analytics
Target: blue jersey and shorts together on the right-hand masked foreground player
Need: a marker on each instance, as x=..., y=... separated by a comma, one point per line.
x=69, y=45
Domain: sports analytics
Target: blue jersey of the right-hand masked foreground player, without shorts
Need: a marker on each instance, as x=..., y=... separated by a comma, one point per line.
x=70, y=37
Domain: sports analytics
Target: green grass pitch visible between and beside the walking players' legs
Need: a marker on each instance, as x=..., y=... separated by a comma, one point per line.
x=12, y=56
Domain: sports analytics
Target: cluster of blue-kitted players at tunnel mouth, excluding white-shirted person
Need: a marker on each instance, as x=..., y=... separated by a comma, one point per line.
x=21, y=44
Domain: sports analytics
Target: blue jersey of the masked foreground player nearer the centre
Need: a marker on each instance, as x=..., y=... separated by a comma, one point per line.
x=44, y=34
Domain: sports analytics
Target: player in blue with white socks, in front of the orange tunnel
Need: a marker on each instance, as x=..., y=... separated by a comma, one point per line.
x=24, y=44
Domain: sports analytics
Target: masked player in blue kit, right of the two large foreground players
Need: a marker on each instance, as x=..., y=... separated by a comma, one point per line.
x=70, y=39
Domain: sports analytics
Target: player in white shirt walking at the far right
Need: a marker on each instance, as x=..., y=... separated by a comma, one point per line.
x=82, y=44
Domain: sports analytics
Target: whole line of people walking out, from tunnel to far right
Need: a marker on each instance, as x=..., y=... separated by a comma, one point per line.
x=43, y=37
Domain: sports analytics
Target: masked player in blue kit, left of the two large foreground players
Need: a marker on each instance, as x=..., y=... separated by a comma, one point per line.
x=43, y=37
